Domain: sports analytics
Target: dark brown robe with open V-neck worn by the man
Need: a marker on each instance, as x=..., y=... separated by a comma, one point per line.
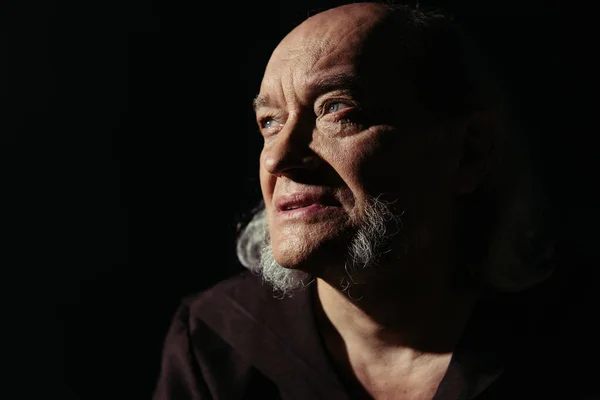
x=237, y=341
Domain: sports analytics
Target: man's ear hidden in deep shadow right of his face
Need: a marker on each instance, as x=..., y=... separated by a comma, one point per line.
x=477, y=136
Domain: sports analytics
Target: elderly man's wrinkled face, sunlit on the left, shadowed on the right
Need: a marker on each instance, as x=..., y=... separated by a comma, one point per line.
x=338, y=131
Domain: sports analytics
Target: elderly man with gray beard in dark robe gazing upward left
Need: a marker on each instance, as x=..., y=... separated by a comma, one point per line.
x=393, y=235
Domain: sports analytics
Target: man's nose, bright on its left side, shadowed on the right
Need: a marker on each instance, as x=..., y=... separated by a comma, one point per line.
x=289, y=151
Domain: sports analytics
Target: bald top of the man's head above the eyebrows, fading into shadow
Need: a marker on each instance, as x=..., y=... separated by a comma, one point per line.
x=418, y=56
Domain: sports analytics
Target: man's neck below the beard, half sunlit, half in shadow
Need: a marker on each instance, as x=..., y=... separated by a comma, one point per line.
x=379, y=317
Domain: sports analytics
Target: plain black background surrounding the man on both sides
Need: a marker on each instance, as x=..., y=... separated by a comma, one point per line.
x=141, y=154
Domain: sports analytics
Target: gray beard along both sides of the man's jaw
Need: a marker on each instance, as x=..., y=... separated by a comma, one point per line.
x=371, y=242
